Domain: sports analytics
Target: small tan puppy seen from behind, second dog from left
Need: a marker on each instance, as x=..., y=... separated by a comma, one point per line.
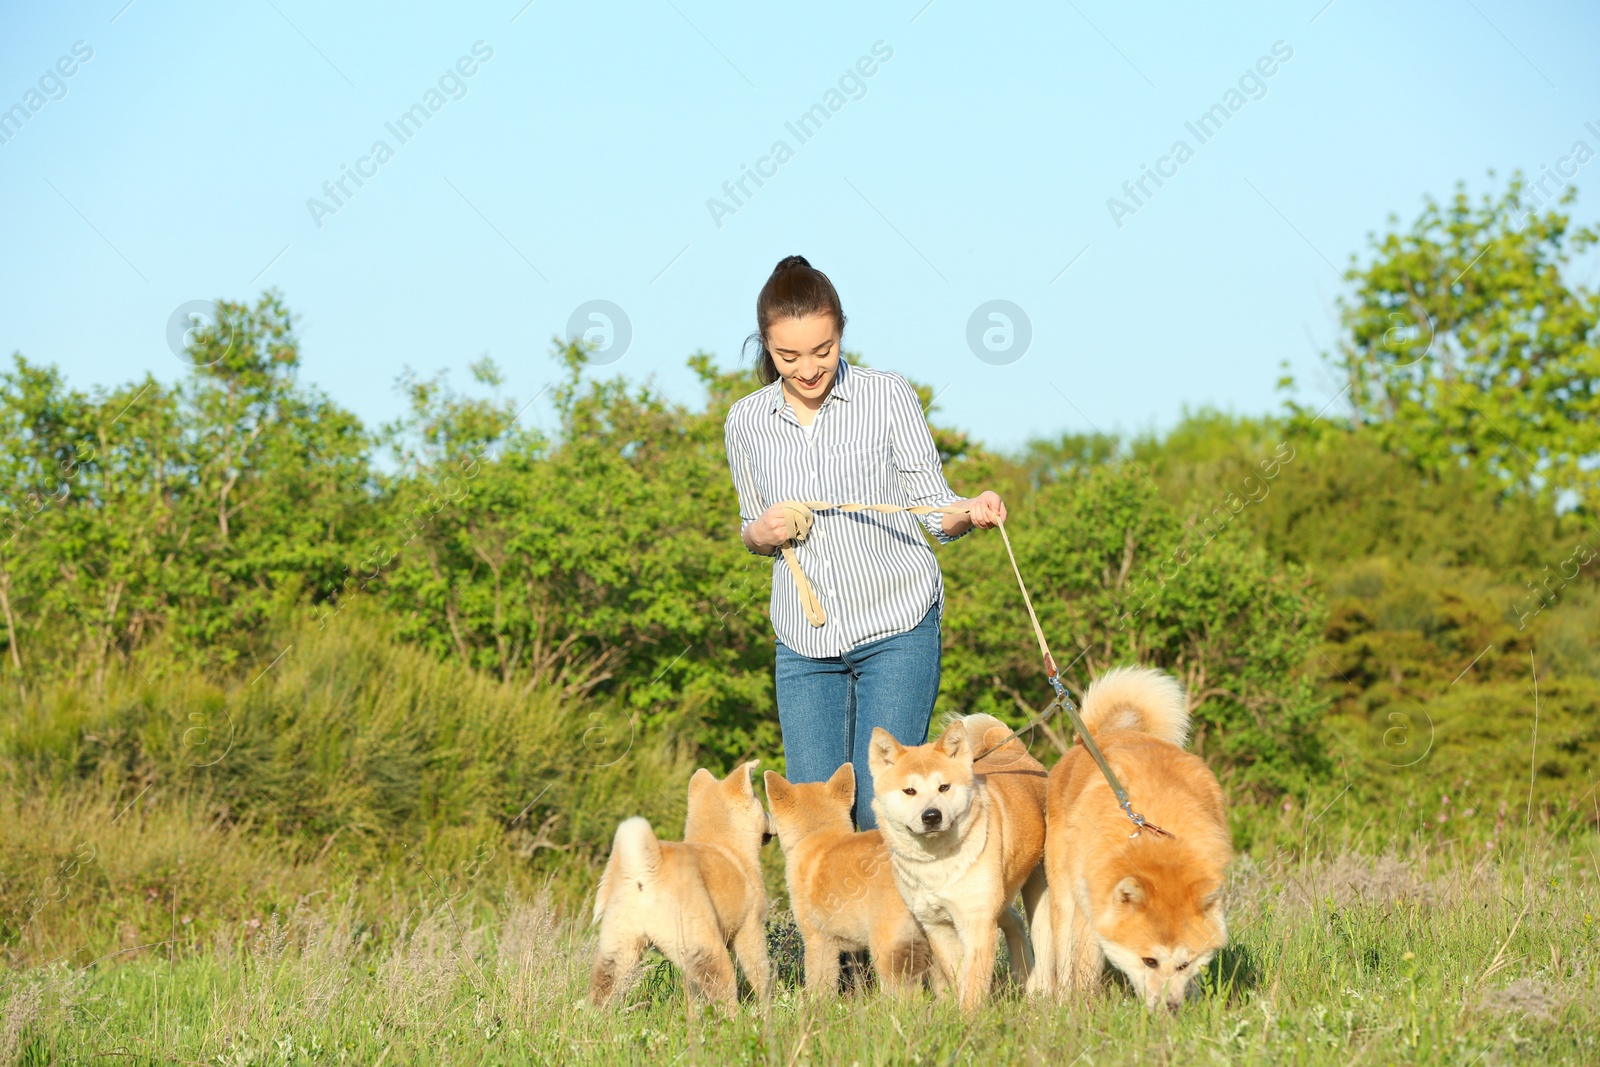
x=841, y=885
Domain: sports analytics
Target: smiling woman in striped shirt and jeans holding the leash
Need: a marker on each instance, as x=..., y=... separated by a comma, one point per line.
x=826, y=431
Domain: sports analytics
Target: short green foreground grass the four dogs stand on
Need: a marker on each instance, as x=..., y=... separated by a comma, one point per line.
x=1457, y=956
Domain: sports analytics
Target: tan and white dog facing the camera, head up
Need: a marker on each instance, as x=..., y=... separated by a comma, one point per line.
x=964, y=839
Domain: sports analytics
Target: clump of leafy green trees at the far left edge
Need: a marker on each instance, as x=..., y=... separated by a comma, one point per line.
x=190, y=514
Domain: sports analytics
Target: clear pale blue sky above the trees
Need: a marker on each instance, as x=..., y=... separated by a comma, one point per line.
x=577, y=162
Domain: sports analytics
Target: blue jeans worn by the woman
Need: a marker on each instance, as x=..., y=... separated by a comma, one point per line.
x=828, y=708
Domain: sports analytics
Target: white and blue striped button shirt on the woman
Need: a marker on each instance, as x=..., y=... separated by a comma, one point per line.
x=874, y=573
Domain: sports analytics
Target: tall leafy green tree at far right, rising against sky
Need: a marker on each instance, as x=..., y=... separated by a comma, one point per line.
x=1466, y=346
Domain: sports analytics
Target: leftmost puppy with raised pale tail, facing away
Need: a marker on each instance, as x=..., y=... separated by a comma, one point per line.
x=690, y=900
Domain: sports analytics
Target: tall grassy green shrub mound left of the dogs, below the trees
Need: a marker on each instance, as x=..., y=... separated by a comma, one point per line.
x=356, y=762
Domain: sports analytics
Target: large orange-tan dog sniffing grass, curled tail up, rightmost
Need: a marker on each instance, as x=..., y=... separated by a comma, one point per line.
x=1150, y=903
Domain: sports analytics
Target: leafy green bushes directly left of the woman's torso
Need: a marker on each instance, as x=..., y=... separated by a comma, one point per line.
x=604, y=559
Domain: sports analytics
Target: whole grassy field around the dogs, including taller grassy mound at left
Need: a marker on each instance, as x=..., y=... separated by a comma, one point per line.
x=370, y=857
